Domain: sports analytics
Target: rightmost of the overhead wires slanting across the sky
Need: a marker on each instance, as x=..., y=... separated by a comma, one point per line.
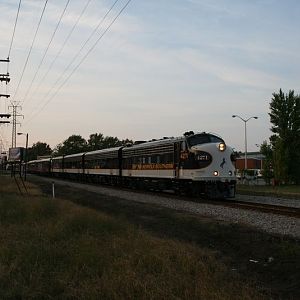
x=80, y=62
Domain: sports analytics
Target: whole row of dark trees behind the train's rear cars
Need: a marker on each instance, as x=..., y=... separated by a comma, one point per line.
x=76, y=144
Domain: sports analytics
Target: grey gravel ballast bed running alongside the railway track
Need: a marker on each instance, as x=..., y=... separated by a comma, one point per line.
x=268, y=222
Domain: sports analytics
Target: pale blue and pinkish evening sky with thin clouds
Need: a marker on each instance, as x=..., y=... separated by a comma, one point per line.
x=162, y=68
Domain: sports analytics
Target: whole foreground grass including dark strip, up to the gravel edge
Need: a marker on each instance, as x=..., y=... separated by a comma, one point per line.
x=114, y=249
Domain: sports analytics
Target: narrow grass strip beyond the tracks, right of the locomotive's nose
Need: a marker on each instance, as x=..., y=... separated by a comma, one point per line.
x=288, y=191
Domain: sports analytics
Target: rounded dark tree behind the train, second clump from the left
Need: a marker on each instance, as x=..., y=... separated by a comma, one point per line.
x=73, y=144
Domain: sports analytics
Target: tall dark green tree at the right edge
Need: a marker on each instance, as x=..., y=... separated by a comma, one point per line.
x=285, y=119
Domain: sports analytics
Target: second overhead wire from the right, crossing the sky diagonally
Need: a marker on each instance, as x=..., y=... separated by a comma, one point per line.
x=78, y=53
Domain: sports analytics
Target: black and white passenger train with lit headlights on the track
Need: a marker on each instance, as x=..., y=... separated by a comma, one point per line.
x=197, y=164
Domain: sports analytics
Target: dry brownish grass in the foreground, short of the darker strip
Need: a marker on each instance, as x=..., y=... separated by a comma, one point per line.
x=57, y=249
